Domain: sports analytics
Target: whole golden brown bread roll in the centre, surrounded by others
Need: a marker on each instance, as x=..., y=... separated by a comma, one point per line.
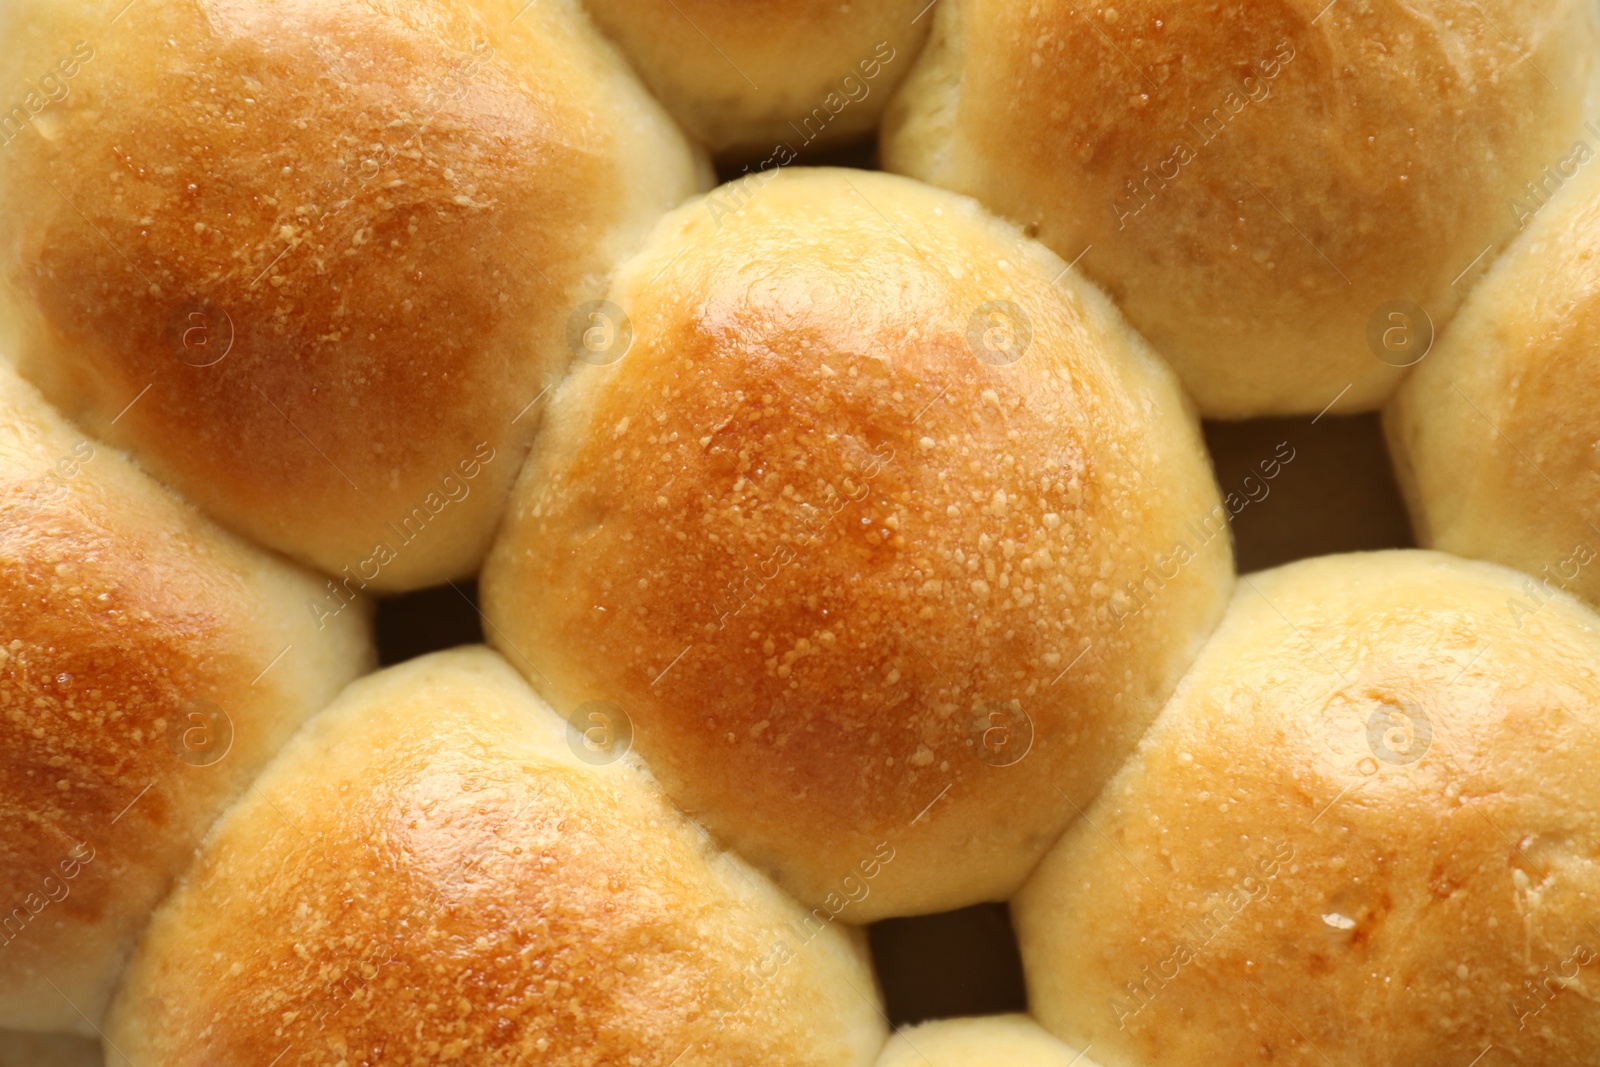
x=886, y=532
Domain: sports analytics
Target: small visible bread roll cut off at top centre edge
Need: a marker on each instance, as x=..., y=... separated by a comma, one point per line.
x=766, y=82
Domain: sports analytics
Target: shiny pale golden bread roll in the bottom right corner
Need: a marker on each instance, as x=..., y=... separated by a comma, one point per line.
x=1362, y=833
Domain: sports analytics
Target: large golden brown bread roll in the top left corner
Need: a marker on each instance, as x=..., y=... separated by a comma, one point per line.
x=314, y=263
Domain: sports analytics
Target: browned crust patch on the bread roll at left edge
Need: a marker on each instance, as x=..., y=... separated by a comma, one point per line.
x=100, y=653
